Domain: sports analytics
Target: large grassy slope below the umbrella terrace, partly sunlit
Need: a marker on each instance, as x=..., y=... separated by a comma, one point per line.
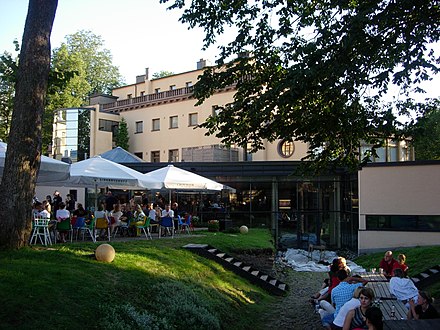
x=150, y=285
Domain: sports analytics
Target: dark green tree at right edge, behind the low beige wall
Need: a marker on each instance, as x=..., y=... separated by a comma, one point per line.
x=425, y=132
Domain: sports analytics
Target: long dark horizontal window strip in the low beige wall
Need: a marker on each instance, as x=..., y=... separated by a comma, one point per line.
x=403, y=222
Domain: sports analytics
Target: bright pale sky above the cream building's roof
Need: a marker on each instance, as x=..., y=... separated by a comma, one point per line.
x=139, y=33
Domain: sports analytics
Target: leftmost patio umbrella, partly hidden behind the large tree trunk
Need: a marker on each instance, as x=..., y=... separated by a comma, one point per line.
x=50, y=169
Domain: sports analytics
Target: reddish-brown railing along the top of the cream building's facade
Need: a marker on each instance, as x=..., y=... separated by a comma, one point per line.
x=149, y=98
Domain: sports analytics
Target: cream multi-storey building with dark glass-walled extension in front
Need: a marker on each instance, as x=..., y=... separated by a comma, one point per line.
x=163, y=120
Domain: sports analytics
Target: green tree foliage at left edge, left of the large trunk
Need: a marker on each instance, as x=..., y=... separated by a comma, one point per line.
x=8, y=70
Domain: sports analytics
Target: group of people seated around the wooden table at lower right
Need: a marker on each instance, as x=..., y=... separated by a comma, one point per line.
x=344, y=302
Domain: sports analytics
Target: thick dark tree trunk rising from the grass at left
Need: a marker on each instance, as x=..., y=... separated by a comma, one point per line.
x=24, y=145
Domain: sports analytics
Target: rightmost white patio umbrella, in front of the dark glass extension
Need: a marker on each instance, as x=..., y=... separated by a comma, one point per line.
x=171, y=177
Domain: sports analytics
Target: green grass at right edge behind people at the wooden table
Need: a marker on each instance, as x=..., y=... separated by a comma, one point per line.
x=418, y=259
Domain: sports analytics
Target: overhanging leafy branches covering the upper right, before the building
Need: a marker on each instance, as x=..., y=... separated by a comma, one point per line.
x=317, y=71
